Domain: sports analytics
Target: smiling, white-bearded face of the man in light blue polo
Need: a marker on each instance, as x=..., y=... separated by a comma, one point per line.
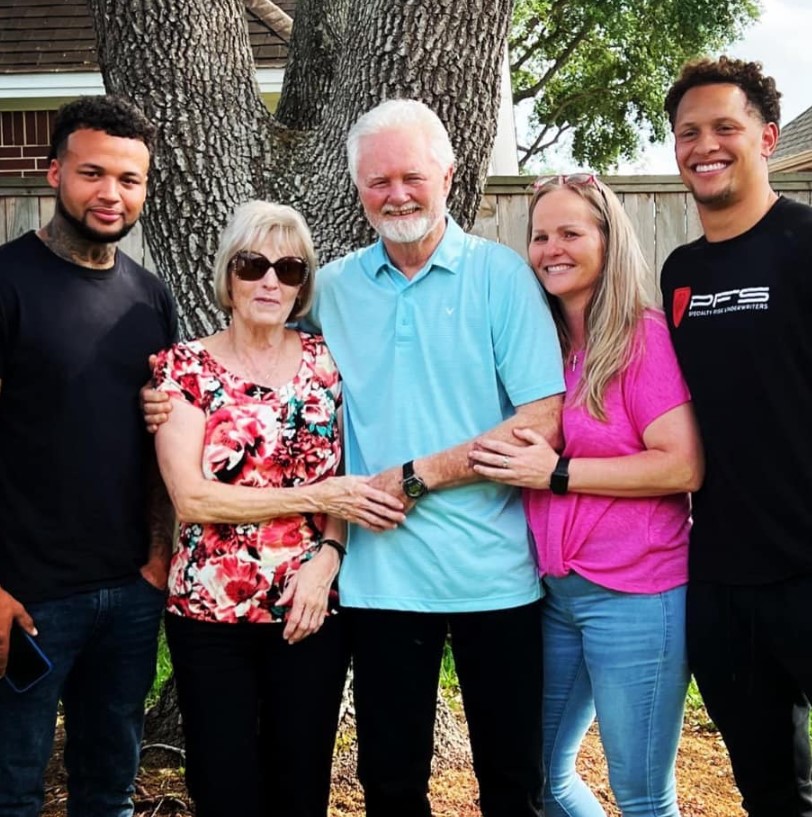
x=401, y=185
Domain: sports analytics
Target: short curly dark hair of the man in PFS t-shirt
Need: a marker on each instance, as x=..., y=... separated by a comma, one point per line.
x=760, y=90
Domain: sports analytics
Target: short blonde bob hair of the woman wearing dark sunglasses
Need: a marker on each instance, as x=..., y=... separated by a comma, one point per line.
x=251, y=225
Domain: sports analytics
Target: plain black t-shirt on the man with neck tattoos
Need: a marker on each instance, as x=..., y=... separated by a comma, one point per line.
x=74, y=348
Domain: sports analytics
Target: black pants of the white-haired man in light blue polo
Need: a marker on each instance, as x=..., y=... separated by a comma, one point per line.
x=396, y=659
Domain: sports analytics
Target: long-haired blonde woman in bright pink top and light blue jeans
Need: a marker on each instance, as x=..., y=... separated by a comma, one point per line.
x=610, y=515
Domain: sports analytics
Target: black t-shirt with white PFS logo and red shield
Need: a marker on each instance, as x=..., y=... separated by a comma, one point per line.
x=740, y=316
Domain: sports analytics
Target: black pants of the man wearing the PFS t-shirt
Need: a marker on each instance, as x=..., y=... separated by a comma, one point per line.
x=750, y=649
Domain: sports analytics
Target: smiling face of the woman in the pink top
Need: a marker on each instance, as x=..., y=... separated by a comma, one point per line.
x=566, y=247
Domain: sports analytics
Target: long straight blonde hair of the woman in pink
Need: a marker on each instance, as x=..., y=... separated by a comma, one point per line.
x=619, y=300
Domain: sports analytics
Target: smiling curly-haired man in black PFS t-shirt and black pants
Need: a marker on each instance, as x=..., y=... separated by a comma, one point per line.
x=739, y=307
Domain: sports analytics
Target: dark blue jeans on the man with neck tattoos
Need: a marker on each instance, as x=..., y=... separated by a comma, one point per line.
x=103, y=647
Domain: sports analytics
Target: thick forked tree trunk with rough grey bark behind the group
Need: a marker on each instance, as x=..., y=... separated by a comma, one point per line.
x=188, y=64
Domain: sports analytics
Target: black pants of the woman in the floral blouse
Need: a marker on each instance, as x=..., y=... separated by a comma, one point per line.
x=259, y=715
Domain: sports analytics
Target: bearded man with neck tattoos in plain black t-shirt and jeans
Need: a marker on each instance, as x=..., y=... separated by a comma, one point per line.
x=85, y=527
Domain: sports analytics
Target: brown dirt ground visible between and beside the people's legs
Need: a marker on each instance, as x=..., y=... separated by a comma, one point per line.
x=704, y=781
